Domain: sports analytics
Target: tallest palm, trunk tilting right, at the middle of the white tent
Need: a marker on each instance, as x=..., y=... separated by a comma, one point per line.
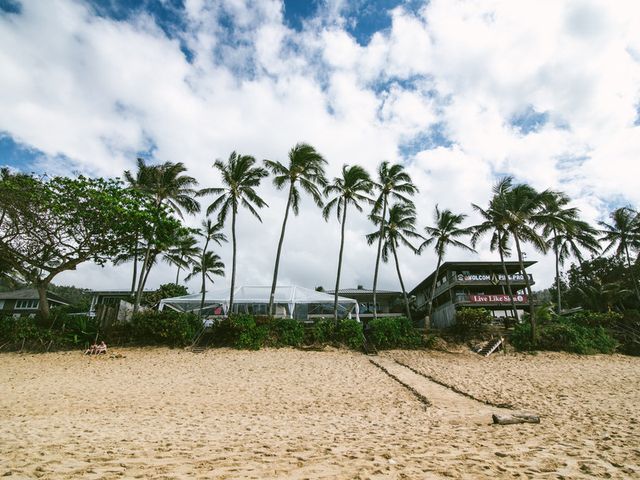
x=306, y=168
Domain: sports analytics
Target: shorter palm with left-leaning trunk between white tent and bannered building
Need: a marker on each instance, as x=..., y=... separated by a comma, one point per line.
x=399, y=228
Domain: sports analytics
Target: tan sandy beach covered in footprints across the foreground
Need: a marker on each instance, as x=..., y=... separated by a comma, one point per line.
x=160, y=413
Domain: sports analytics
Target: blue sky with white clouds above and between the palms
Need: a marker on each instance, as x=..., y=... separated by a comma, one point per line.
x=461, y=92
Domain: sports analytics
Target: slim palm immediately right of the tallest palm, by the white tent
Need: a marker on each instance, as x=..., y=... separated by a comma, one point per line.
x=352, y=187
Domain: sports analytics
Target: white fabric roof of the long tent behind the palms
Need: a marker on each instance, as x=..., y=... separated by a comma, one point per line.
x=259, y=294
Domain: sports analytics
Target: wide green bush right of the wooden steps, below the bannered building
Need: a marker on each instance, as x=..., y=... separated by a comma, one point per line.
x=564, y=335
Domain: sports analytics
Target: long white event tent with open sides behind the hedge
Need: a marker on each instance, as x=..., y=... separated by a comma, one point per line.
x=291, y=301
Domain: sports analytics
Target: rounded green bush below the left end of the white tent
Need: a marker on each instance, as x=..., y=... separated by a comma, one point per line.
x=170, y=328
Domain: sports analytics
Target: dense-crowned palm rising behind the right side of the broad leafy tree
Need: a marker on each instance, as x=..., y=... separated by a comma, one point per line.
x=167, y=185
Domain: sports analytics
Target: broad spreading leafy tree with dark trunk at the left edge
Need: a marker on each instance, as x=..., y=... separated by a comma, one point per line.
x=48, y=226
